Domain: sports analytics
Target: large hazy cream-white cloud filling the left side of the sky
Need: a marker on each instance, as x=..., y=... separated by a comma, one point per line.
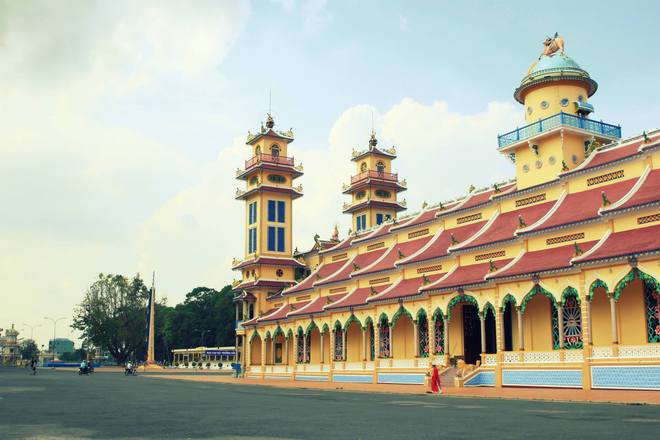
x=75, y=182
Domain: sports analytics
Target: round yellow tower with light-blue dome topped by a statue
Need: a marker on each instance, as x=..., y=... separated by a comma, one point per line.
x=559, y=134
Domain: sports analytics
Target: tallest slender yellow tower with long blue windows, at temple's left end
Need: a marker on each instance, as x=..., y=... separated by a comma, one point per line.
x=268, y=265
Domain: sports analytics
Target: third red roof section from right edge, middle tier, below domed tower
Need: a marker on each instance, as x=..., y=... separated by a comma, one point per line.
x=505, y=225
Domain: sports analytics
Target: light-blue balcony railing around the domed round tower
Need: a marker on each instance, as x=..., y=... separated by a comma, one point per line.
x=554, y=121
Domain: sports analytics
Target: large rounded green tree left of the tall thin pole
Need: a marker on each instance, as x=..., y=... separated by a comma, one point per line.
x=113, y=316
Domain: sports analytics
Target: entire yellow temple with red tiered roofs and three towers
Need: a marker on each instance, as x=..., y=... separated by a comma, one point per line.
x=547, y=280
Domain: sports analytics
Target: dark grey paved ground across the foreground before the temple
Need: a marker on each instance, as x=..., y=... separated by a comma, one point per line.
x=63, y=405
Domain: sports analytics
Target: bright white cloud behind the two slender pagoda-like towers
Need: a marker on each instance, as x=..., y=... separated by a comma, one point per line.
x=195, y=235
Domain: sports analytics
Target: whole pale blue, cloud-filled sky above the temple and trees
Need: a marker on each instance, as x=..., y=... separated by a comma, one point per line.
x=122, y=123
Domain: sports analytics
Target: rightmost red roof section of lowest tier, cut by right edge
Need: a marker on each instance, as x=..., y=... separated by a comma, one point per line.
x=623, y=244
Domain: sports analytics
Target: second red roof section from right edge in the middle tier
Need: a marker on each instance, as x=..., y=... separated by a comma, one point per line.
x=582, y=206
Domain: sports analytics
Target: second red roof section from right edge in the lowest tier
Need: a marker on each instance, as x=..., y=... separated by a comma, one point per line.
x=542, y=261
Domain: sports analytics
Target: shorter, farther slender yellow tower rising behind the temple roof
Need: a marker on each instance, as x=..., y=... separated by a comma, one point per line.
x=374, y=188
